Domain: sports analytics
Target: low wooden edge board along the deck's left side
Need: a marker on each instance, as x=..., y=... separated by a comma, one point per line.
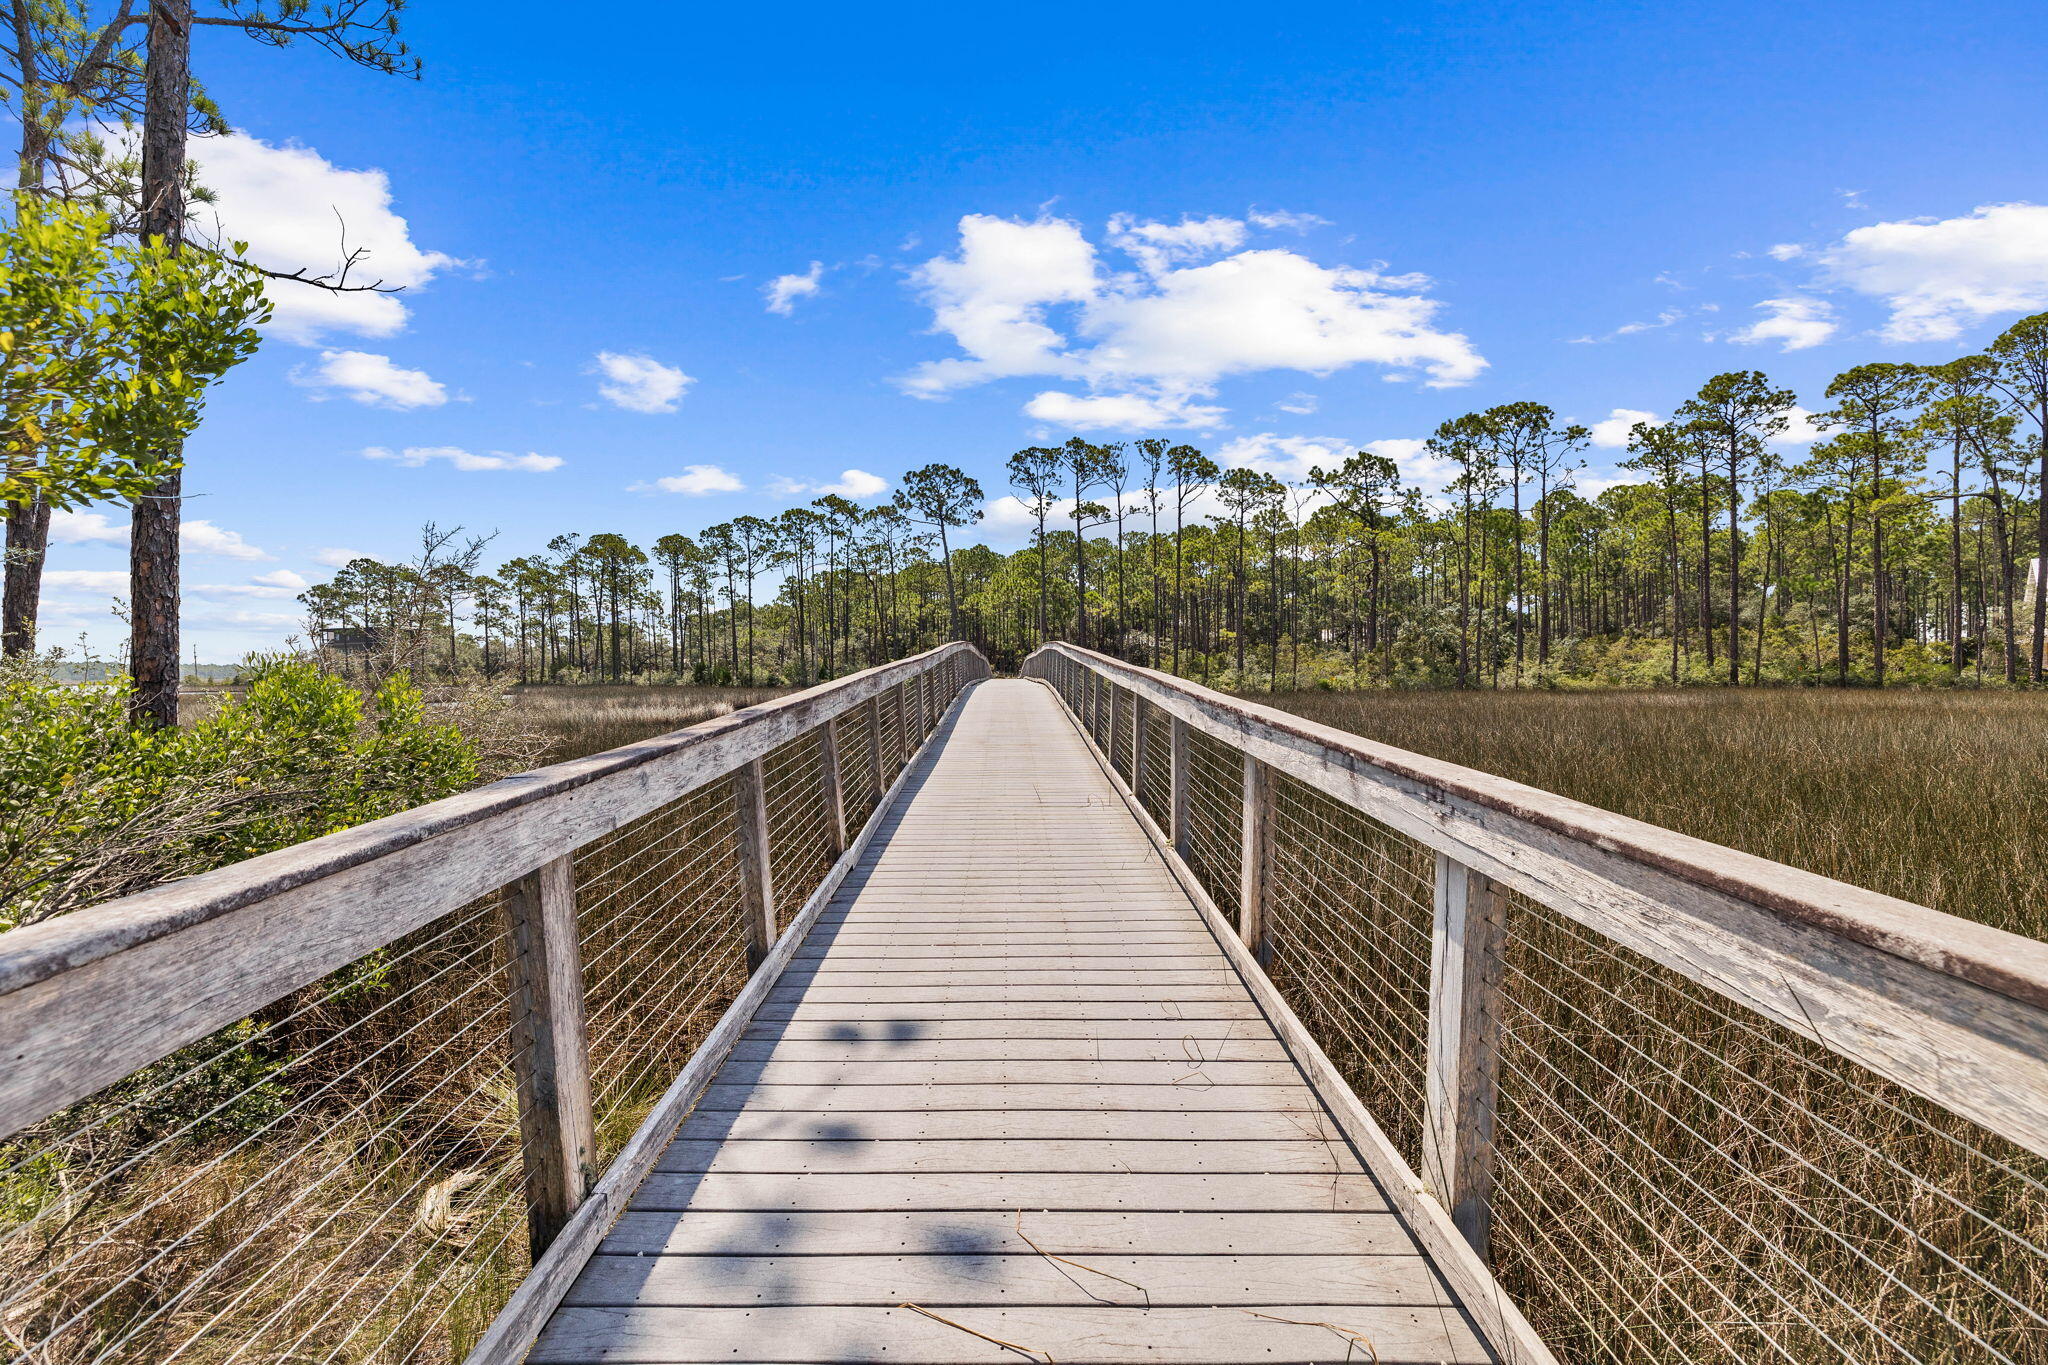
x=523, y=1317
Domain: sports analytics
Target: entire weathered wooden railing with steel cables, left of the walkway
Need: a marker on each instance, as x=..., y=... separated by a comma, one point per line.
x=306, y=1106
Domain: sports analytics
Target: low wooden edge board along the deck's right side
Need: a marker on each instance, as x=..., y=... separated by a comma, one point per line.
x=1496, y=1317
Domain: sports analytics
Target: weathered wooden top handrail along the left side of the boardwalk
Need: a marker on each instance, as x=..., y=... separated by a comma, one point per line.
x=91, y=998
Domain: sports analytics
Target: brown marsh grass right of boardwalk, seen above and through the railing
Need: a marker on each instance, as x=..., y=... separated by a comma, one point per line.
x=1684, y=1182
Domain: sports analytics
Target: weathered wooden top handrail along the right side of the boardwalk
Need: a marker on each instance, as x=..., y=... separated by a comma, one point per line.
x=1947, y=1008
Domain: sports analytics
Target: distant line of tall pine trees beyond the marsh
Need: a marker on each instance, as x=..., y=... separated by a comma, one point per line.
x=1904, y=545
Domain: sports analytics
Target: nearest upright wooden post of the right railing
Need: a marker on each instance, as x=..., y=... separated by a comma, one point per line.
x=1463, y=1055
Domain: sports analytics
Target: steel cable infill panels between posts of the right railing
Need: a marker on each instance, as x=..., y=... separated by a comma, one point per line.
x=1678, y=1180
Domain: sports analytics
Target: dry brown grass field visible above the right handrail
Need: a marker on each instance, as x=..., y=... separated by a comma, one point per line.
x=1932, y=797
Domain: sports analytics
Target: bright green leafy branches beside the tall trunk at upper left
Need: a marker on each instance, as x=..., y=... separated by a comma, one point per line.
x=110, y=353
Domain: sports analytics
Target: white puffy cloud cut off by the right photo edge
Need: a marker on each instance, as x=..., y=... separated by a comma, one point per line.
x=1945, y=275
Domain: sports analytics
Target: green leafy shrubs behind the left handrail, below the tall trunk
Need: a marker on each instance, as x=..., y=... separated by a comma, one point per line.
x=95, y=809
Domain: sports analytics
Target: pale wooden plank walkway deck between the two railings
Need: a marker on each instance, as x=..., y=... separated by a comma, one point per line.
x=1011, y=1102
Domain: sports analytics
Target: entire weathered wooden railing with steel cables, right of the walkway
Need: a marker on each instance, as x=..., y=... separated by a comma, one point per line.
x=1533, y=1002
